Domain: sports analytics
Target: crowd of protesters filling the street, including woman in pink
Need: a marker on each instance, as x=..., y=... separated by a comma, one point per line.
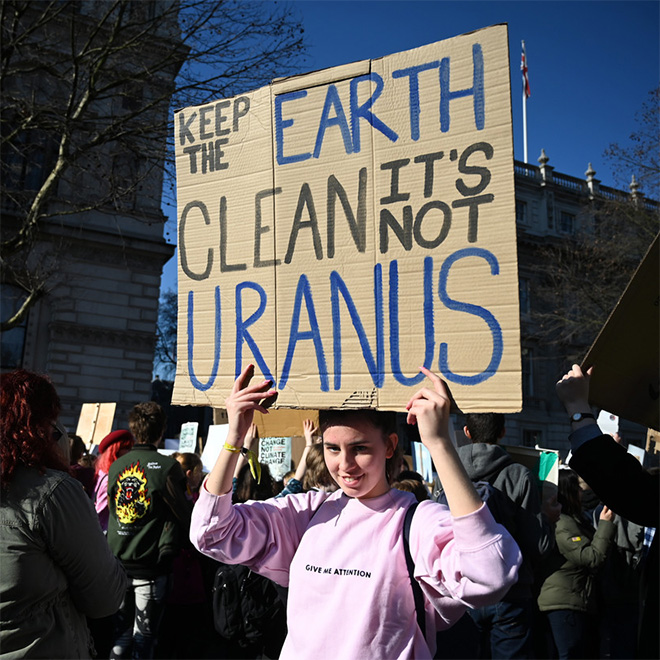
x=131, y=553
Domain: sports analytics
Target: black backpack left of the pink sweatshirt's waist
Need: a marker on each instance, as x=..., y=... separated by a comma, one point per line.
x=247, y=608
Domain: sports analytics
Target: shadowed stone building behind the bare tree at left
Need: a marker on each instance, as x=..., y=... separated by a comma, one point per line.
x=101, y=246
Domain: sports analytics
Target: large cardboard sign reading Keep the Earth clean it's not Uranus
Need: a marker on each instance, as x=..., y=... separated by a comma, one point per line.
x=341, y=228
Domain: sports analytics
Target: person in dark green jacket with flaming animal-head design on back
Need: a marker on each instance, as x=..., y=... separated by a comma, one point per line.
x=147, y=527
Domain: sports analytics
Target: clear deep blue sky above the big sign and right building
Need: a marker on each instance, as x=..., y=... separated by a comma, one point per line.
x=591, y=63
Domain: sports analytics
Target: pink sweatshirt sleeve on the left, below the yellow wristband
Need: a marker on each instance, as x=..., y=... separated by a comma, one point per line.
x=262, y=535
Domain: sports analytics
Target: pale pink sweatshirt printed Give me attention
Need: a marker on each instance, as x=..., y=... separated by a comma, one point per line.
x=343, y=561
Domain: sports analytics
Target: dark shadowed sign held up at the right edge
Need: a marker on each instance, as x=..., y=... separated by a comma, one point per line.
x=626, y=353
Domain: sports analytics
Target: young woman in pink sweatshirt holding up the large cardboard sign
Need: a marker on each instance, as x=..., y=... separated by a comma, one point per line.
x=342, y=554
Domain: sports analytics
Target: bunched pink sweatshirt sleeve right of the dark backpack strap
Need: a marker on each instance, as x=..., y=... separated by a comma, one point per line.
x=471, y=558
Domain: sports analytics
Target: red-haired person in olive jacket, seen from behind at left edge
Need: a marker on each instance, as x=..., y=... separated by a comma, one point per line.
x=56, y=565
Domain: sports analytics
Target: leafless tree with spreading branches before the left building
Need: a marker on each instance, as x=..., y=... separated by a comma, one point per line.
x=86, y=86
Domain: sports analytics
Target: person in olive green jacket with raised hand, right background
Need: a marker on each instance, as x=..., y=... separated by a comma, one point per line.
x=567, y=593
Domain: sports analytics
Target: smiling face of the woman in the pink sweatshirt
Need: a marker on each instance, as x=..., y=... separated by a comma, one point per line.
x=356, y=455
